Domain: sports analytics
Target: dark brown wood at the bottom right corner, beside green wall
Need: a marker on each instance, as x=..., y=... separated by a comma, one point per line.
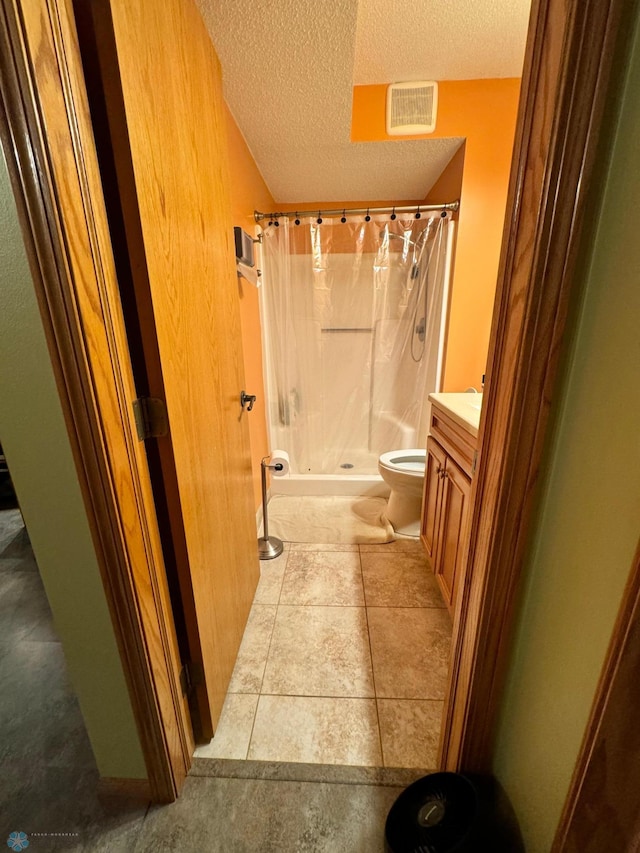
x=593, y=793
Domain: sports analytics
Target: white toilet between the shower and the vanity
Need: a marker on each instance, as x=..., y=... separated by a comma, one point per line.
x=403, y=472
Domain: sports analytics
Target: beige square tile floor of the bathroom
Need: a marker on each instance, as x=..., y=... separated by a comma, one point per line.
x=343, y=661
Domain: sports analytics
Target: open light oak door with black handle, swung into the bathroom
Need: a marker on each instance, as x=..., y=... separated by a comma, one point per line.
x=157, y=81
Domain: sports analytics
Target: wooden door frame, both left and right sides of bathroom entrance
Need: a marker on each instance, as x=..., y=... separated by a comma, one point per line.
x=569, y=59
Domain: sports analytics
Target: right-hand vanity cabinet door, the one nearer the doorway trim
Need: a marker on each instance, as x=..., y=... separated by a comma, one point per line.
x=453, y=514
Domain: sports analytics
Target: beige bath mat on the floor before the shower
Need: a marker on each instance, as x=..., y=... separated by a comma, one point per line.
x=329, y=520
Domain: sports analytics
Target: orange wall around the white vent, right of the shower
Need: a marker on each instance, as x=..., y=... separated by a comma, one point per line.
x=484, y=113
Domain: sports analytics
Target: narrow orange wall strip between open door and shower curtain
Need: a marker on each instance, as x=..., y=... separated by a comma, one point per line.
x=248, y=193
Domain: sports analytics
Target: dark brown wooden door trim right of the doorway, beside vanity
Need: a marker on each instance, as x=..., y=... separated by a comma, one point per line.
x=568, y=63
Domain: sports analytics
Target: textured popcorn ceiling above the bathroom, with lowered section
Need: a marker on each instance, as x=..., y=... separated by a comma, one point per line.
x=288, y=70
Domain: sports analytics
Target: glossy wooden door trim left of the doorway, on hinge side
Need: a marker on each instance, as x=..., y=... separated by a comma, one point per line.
x=59, y=199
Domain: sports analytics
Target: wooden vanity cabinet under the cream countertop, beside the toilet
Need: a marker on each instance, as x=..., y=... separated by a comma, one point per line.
x=447, y=486
